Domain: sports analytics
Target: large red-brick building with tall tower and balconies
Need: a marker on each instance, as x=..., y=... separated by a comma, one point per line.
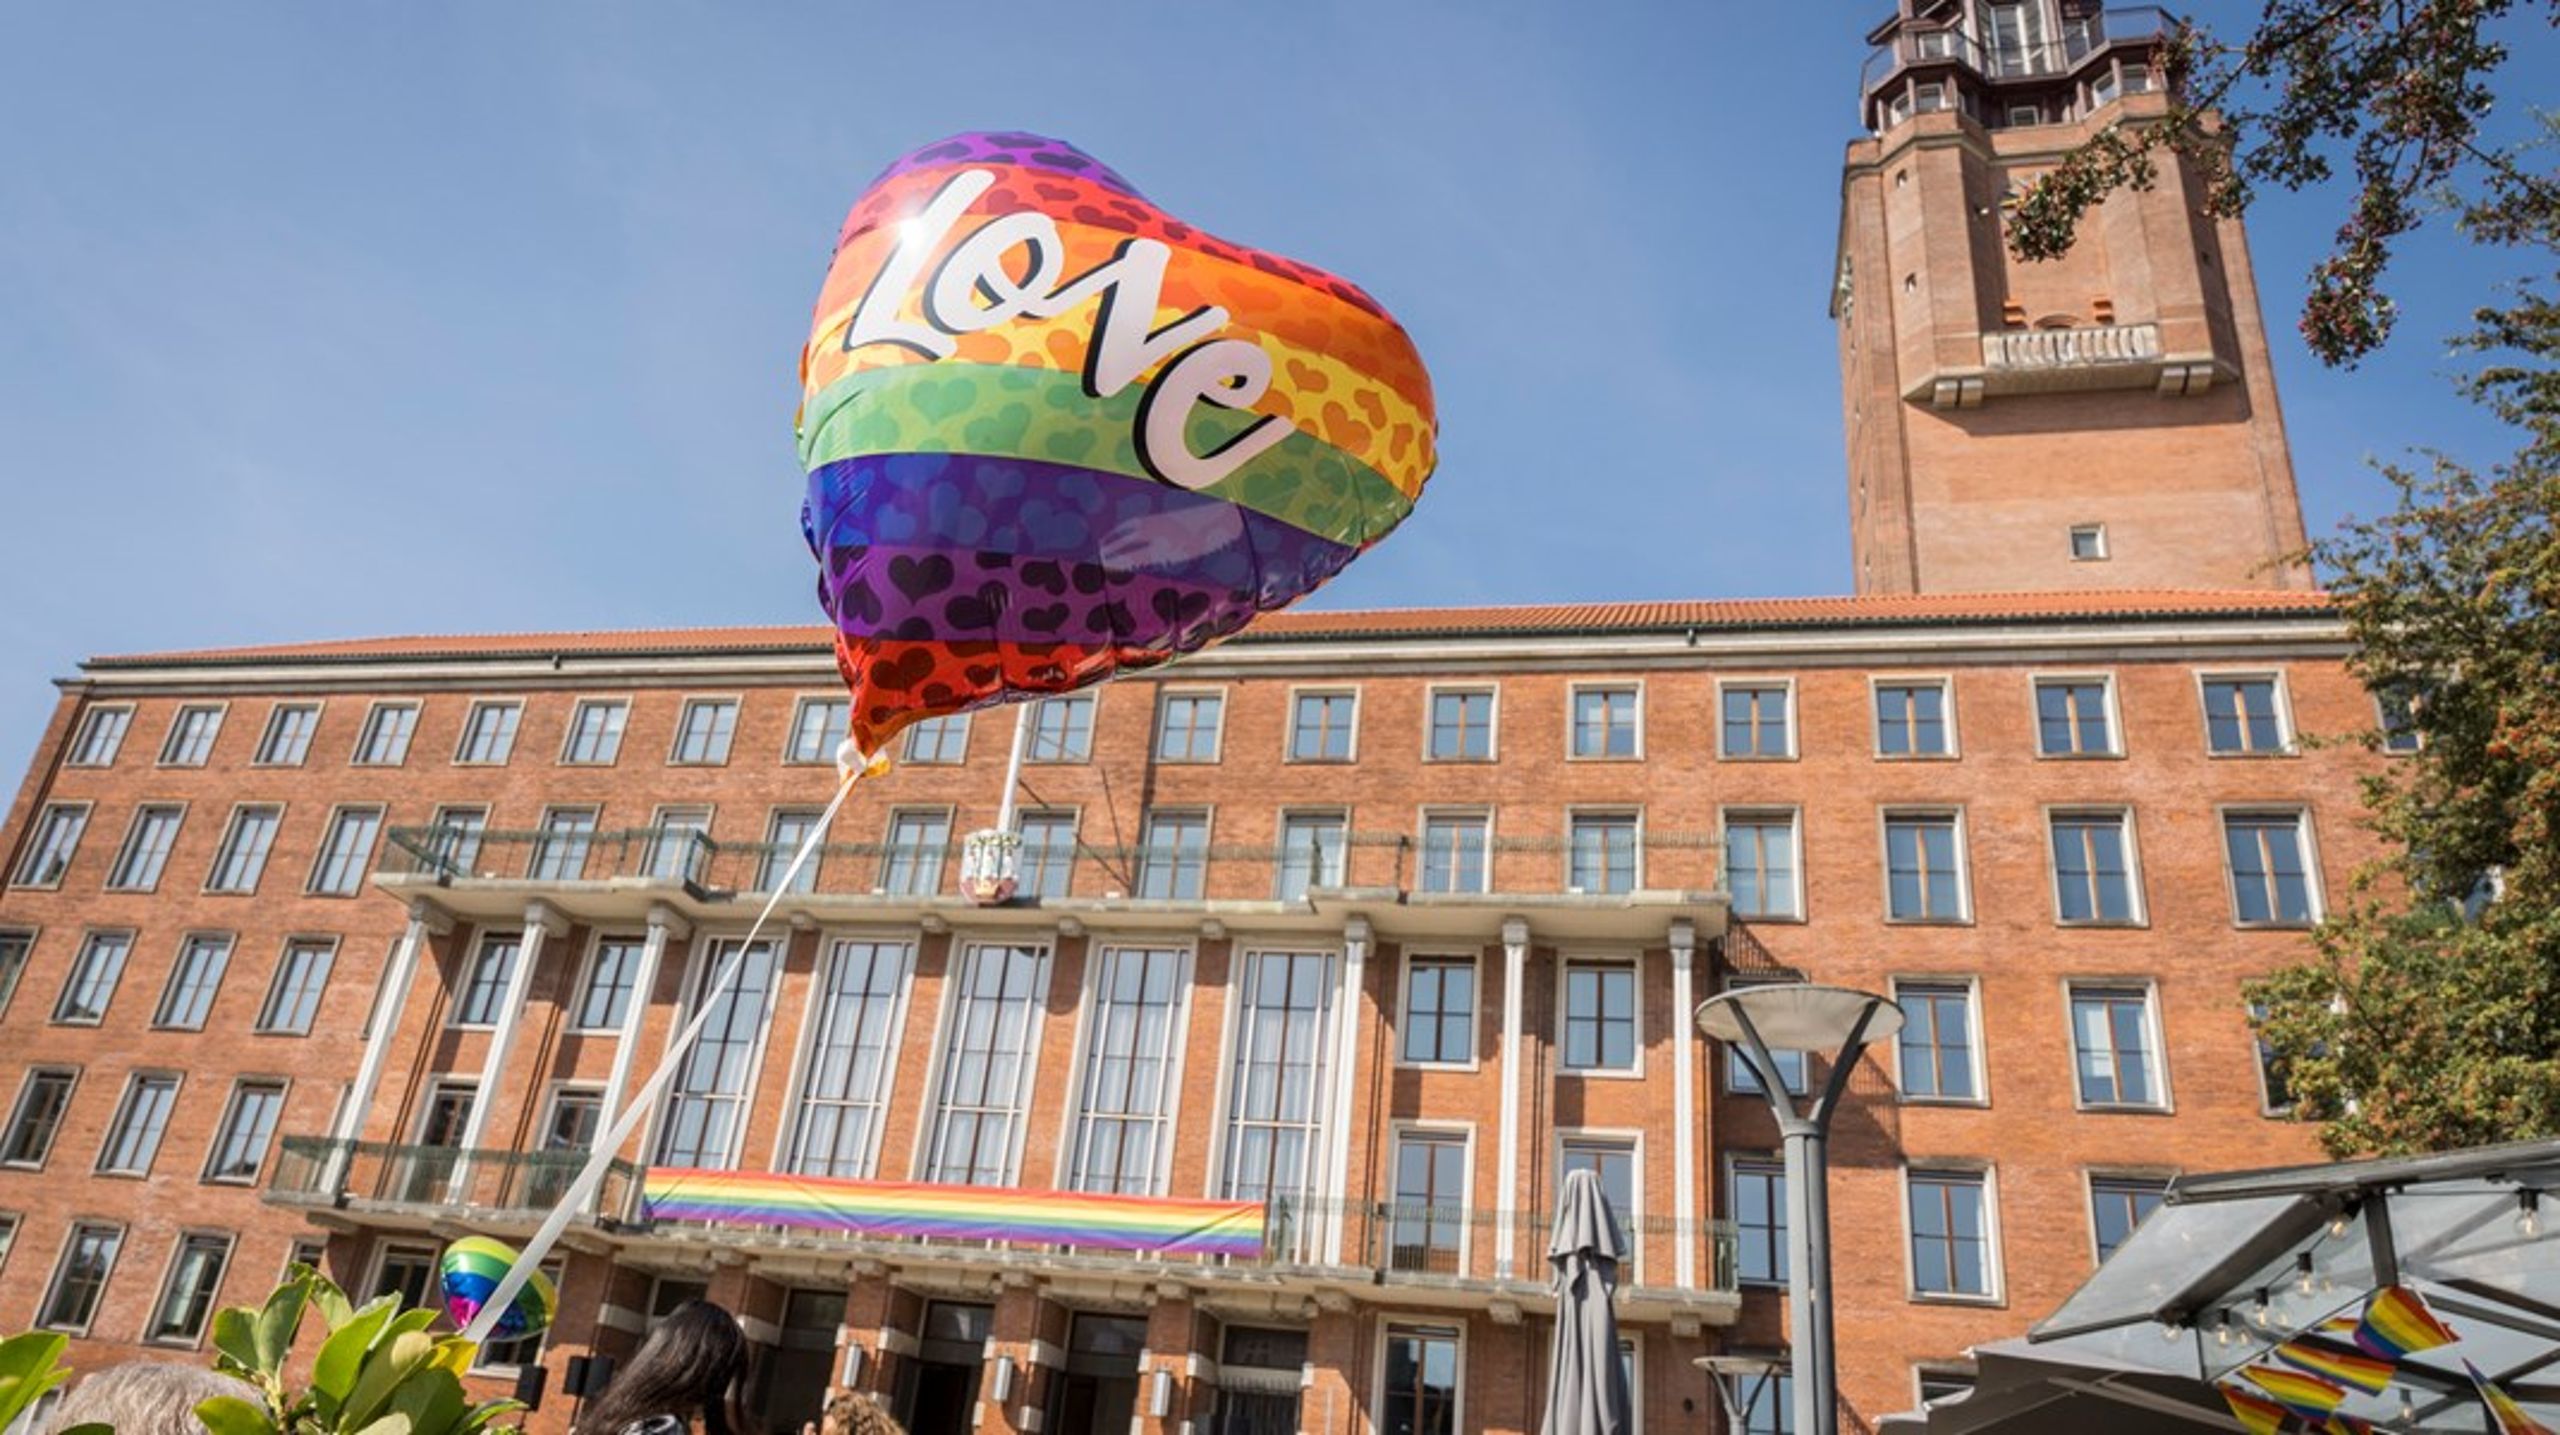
x=1381, y=922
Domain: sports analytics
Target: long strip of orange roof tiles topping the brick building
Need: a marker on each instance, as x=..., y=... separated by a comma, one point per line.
x=1532, y=620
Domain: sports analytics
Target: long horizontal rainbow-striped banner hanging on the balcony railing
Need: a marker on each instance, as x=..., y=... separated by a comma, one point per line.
x=956, y=1214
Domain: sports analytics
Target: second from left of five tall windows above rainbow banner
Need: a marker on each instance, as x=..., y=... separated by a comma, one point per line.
x=836, y=1127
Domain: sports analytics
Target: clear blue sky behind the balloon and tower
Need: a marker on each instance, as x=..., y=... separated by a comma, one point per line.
x=334, y=321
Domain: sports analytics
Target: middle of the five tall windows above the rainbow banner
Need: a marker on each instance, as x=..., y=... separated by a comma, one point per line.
x=987, y=1065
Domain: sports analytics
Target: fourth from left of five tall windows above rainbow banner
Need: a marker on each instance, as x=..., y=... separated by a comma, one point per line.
x=1125, y=1109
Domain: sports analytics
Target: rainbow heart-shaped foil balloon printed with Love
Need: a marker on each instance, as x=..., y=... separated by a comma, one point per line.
x=1056, y=434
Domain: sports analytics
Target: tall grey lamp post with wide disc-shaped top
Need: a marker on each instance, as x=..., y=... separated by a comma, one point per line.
x=1798, y=1017
